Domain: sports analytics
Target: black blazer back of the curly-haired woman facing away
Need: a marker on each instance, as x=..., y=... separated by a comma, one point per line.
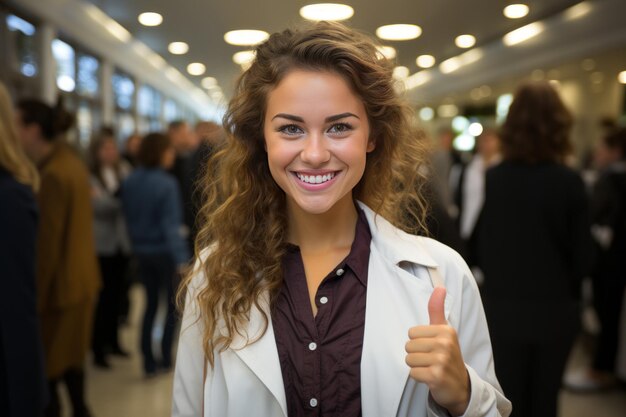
x=534, y=246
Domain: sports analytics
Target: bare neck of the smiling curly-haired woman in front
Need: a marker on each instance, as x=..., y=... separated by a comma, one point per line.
x=322, y=232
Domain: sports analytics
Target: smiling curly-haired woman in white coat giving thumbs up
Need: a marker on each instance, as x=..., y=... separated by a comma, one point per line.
x=306, y=282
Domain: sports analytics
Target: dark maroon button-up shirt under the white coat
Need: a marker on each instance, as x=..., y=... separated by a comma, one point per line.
x=320, y=357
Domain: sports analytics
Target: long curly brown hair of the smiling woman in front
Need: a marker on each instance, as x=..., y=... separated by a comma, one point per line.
x=244, y=213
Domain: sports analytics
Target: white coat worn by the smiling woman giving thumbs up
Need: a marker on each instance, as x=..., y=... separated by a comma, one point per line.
x=247, y=381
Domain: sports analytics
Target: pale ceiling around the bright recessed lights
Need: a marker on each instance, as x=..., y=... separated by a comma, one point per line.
x=202, y=24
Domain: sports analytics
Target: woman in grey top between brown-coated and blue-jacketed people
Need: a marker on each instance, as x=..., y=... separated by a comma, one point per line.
x=108, y=170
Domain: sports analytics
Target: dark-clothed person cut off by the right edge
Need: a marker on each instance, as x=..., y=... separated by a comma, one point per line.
x=608, y=216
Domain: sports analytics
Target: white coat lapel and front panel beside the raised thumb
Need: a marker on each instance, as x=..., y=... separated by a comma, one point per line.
x=396, y=301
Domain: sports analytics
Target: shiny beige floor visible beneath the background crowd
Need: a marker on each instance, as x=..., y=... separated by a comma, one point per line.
x=123, y=392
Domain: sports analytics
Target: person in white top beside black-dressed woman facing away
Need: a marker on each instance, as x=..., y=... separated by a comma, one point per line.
x=472, y=189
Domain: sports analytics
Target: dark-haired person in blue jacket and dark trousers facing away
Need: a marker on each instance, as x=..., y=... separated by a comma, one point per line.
x=151, y=204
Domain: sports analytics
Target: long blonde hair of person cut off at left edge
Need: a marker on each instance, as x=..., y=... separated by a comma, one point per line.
x=12, y=156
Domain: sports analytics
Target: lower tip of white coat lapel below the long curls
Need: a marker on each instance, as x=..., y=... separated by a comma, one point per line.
x=262, y=355
